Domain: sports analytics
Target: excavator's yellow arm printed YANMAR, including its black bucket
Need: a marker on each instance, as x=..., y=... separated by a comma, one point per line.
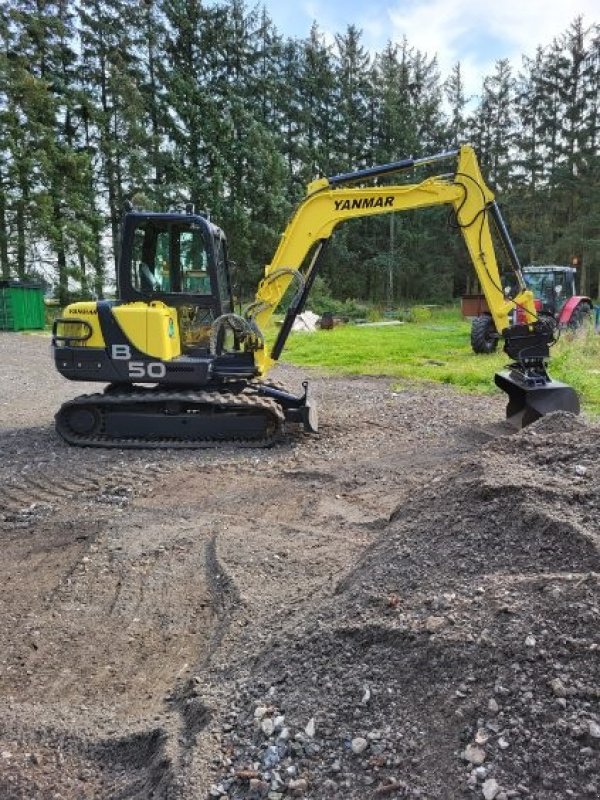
x=331, y=201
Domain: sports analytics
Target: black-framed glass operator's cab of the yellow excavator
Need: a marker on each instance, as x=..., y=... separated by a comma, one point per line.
x=181, y=261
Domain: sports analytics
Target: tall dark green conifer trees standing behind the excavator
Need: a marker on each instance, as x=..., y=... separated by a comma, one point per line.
x=165, y=102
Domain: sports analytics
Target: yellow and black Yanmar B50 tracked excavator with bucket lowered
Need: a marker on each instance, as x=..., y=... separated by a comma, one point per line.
x=184, y=370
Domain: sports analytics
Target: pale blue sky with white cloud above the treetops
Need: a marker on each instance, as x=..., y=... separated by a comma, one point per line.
x=475, y=33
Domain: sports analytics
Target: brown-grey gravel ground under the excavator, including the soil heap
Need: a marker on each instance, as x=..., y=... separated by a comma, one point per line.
x=406, y=605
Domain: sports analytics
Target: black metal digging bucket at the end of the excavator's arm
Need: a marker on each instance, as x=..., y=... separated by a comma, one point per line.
x=528, y=401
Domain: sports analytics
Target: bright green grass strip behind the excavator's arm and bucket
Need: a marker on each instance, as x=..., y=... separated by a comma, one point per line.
x=438, y=349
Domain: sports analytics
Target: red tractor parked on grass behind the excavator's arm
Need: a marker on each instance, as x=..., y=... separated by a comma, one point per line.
x=556, y=300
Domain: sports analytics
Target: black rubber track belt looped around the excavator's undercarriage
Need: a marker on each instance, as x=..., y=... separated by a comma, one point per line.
x=120, y=402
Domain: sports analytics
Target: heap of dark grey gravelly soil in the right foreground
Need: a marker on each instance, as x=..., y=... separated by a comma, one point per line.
x=459, y=658
